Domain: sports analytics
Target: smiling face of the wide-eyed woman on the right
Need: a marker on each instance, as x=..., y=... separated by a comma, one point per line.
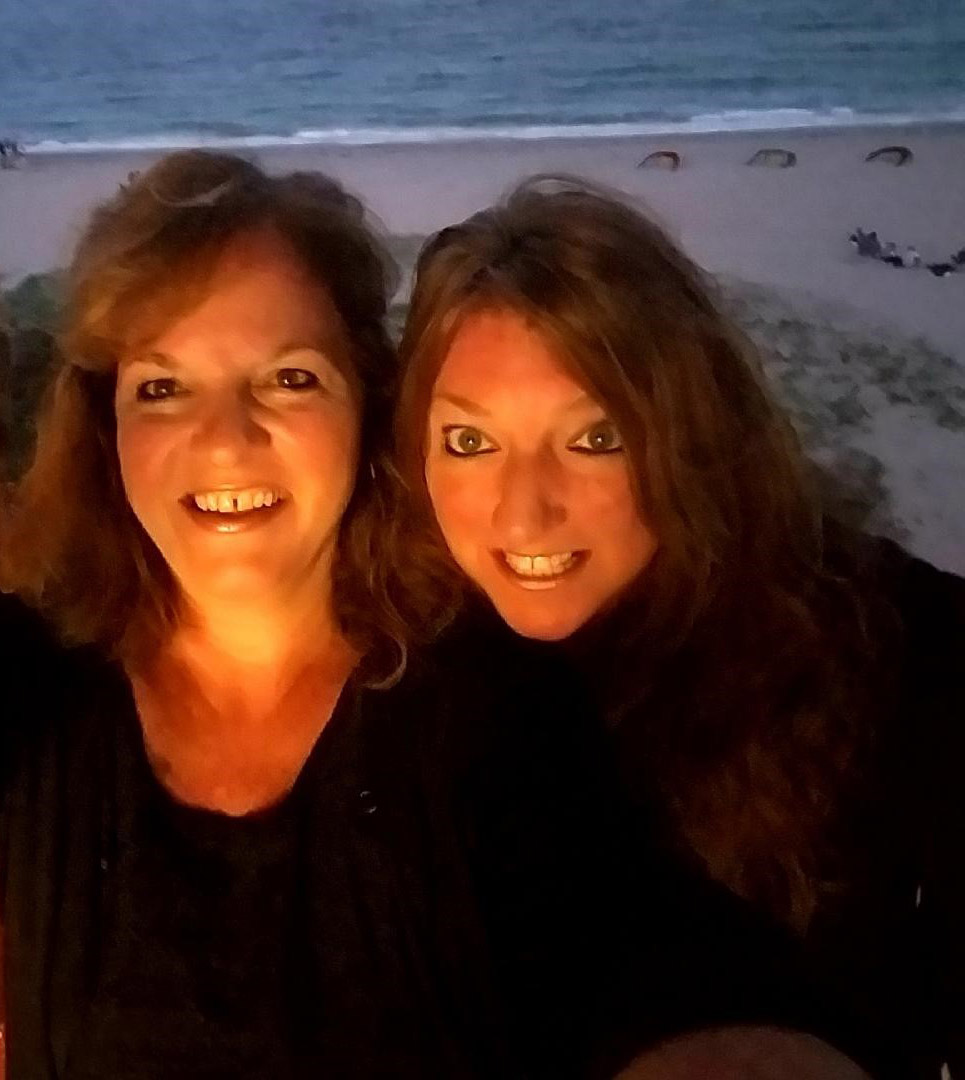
x=529, y=482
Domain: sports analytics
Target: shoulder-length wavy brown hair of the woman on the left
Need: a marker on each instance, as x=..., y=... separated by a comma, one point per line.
x=71, y=544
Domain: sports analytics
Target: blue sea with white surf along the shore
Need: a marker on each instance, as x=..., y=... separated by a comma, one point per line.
x=96, y=74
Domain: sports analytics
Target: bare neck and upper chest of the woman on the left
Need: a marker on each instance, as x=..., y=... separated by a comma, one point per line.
x=233, y=705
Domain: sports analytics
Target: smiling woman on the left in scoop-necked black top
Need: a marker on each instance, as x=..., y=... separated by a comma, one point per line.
x=242, y=838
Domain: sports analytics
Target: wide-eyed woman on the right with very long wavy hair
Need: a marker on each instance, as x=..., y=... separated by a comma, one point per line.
x=592, y=456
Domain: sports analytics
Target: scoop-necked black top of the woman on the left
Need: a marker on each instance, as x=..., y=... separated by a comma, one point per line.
x=445, y=893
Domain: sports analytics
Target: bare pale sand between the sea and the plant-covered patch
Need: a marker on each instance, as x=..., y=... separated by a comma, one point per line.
x=783, y=227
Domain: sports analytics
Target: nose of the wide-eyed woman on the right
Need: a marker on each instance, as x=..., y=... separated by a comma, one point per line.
x=532, y=501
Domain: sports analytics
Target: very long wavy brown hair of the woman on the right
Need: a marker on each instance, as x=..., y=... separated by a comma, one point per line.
x=736, y=667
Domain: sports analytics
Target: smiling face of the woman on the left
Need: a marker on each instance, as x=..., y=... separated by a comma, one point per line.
x=238, y=430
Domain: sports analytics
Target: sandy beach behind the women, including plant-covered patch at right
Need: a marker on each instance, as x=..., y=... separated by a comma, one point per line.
x=871, y=360
